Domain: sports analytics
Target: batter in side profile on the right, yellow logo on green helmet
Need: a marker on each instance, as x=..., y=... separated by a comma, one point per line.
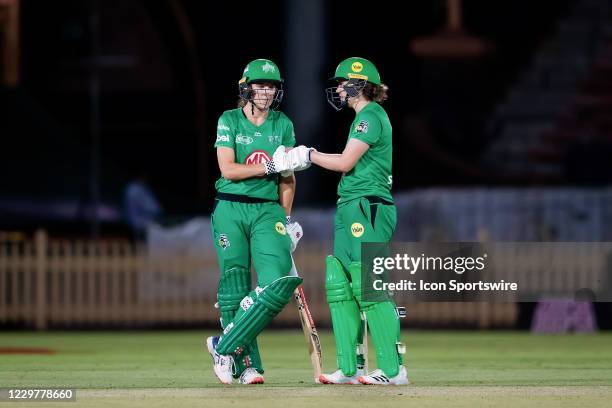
x=365, y=213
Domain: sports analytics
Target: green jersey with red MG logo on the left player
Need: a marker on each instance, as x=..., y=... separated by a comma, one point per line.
x=253, y=144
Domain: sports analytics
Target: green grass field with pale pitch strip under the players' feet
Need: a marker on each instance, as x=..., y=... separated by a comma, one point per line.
x=465, y=369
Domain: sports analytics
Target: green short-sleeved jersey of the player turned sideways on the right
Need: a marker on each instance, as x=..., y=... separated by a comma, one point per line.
x=371, y=176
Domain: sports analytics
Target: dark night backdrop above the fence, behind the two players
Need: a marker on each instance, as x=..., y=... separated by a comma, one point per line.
x=114, y=89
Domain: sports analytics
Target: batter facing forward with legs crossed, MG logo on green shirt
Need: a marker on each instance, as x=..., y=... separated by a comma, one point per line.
x=250, y=223
